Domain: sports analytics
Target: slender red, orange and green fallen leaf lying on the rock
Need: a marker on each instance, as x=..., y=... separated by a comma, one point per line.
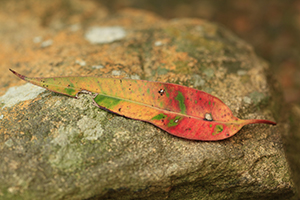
x=181, y=111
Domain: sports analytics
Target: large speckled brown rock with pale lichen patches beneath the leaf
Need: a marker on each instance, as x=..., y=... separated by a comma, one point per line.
x=56, y=147
